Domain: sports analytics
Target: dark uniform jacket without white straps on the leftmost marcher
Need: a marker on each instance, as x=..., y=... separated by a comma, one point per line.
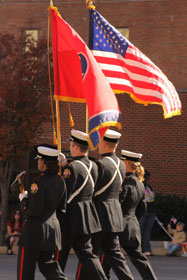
x=46, y=196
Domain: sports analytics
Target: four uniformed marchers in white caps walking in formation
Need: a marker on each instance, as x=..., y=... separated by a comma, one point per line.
x=92, y=206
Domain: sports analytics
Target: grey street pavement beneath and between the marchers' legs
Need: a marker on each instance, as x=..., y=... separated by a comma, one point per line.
x=166, y=268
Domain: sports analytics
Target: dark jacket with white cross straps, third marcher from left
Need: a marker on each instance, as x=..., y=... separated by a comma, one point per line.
x=107, y=203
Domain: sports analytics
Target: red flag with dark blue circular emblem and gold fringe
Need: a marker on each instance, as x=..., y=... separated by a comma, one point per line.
x=78, y=78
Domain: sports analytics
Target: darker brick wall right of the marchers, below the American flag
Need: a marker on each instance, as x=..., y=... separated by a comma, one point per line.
x=162, y=143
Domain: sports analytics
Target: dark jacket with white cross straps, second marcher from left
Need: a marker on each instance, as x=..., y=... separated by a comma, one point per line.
x=81, y=215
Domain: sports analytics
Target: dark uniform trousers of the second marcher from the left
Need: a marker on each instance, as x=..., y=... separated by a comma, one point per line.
x=83, y=249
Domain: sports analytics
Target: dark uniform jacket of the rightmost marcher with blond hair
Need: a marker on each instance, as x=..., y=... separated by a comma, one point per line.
x=132, y=202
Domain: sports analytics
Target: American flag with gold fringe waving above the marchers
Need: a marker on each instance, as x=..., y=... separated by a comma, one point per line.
x=128, y=70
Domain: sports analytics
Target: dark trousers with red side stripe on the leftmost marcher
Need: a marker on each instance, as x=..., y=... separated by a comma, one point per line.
x=47, y=263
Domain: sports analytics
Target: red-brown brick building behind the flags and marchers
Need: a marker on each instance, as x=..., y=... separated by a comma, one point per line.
x=158, y=29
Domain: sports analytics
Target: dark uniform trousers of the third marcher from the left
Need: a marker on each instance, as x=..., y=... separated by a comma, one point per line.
x=108, y=242
